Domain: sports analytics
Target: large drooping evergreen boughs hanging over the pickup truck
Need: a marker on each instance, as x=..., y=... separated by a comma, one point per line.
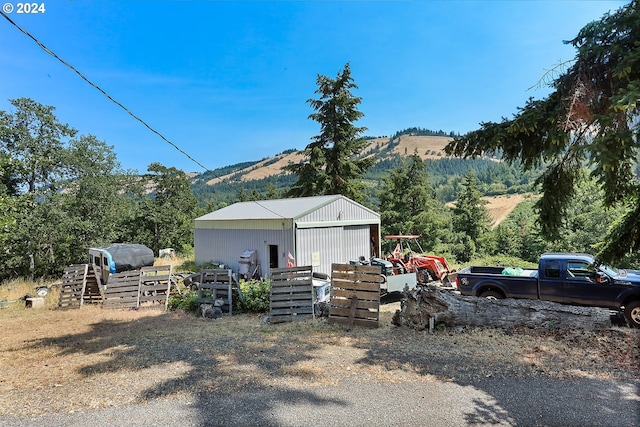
x=592, y=116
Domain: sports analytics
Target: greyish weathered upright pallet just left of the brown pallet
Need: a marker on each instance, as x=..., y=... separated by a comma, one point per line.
x=291, y=295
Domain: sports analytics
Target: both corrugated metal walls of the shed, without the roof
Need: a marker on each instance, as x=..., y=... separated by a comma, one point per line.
x=335, y=231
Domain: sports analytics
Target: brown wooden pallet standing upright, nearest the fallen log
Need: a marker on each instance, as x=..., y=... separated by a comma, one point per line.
x=355, y=295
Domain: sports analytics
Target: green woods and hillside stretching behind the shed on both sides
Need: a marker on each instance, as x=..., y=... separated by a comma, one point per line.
x=82, y=198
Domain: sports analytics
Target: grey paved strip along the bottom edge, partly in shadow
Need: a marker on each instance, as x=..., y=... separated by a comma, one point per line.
x=490, y=401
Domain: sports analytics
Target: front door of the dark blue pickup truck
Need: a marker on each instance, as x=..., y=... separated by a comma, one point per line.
x=582, y=288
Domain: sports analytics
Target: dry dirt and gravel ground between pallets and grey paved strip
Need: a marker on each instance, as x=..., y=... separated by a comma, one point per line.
x=72, y=360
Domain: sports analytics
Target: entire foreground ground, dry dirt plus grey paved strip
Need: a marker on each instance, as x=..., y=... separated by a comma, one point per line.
x=94, y=367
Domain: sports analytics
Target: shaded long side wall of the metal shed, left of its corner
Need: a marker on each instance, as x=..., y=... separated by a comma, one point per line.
x=226, y=245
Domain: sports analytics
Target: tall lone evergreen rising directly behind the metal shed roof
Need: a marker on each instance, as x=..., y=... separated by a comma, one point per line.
x=332, y=164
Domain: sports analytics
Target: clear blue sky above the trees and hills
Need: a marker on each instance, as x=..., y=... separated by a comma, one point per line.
x=227, y=81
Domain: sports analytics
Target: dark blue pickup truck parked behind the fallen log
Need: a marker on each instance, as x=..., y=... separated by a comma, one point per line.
x=566, y=278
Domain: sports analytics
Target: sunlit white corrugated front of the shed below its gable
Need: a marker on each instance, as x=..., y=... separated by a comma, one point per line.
x=332, y=245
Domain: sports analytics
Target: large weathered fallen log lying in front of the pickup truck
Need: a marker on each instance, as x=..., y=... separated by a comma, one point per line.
x=428, y=305
